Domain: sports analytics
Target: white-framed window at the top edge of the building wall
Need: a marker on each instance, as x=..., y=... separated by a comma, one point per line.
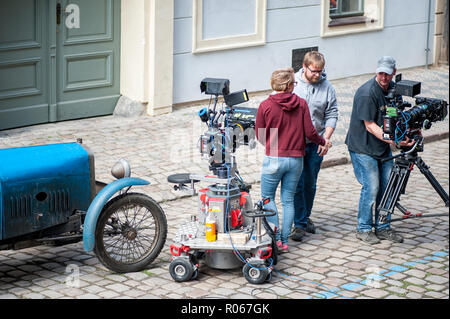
x=351, y=16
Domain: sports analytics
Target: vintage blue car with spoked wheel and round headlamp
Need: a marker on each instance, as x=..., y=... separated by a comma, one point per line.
x=49, y=195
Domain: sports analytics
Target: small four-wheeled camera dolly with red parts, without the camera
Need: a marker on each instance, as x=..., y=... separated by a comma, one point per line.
x=244, y=238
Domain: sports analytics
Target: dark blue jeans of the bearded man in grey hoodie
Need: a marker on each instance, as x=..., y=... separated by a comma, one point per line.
x=306, y=187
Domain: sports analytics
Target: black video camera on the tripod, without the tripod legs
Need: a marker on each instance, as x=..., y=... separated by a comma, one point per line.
x=399, y=124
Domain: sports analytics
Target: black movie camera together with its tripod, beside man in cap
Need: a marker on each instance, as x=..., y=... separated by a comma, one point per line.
x=399, y=124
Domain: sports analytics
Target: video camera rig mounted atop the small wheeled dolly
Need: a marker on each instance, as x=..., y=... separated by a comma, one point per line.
x=228, y=128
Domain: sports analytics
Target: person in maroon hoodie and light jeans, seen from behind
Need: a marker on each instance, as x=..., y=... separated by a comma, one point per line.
x=282, y=124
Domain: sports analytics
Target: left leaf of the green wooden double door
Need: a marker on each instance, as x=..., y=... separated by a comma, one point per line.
x=23, y=63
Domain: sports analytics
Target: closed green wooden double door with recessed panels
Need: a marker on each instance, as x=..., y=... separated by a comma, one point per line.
x=59, y=60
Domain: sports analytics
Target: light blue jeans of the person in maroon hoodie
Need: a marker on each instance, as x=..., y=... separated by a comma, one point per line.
x=286, y=170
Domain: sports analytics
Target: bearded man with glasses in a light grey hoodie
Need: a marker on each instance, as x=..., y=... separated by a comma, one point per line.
x=320, y=95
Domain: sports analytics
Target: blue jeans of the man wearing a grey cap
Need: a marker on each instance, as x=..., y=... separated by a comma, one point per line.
x=373, y=175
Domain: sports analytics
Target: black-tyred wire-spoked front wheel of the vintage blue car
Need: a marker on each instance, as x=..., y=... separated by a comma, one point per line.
x=130, y=232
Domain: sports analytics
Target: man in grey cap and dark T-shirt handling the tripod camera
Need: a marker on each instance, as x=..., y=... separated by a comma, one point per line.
x=367, y=150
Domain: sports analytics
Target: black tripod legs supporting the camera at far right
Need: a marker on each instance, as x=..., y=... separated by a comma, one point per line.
x=403, y=165
